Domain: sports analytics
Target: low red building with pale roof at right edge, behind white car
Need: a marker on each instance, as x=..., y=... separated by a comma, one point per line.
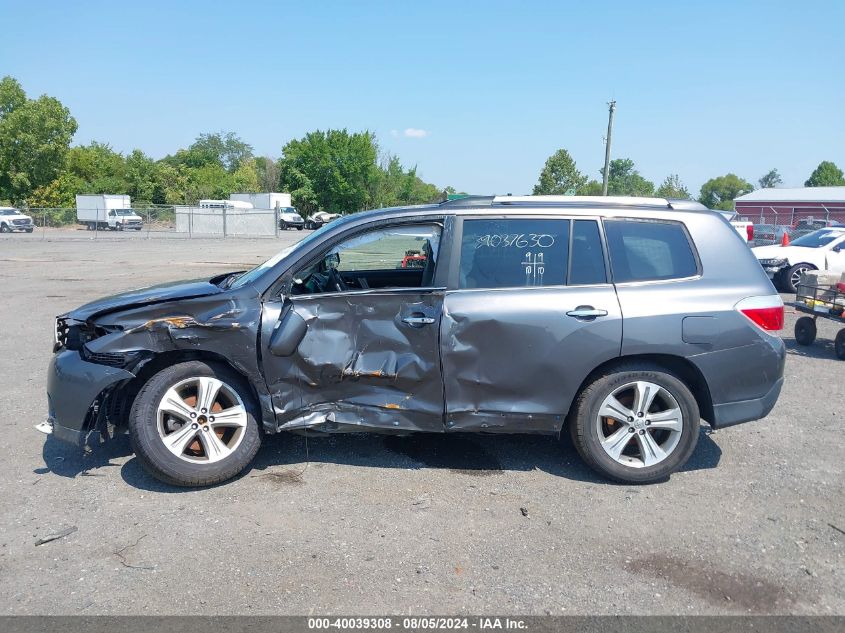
x=811, y=206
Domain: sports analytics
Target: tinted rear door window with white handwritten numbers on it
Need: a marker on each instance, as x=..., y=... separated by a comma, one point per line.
x=514, y=253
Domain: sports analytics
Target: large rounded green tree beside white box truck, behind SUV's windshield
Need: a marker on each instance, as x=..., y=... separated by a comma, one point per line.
x=340, y=168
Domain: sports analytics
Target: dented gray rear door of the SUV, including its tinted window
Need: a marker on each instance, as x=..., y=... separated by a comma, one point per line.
x=529, y=314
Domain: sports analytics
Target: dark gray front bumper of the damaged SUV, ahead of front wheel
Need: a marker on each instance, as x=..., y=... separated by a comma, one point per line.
x=73, y=386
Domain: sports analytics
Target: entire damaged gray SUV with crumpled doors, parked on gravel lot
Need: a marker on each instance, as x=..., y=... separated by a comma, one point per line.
x=617, y=322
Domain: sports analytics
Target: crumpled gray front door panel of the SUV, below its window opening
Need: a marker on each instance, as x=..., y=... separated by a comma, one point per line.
x=366, y=358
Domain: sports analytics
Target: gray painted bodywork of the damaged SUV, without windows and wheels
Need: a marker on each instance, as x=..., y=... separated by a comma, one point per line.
x=359, y=367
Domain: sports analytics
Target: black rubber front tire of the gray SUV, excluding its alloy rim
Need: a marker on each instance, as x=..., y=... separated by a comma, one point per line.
x=148, y=445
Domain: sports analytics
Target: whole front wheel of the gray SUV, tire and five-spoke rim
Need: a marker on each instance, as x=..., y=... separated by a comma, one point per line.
x=194, y=424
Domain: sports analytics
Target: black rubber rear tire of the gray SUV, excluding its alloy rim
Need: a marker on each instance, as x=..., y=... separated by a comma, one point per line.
x=584, y=430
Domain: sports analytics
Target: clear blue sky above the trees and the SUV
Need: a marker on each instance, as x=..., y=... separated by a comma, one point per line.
x=488, y=89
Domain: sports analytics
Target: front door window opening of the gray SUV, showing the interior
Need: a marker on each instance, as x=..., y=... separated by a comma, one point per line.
x=391, y=257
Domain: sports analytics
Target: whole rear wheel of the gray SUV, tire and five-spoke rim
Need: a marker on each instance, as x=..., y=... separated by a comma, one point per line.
x=635, y=424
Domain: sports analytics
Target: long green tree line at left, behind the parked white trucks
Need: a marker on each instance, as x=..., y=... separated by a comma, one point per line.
x=333, y=170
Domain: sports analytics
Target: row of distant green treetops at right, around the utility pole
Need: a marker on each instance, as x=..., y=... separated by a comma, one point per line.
x=560, y=176
